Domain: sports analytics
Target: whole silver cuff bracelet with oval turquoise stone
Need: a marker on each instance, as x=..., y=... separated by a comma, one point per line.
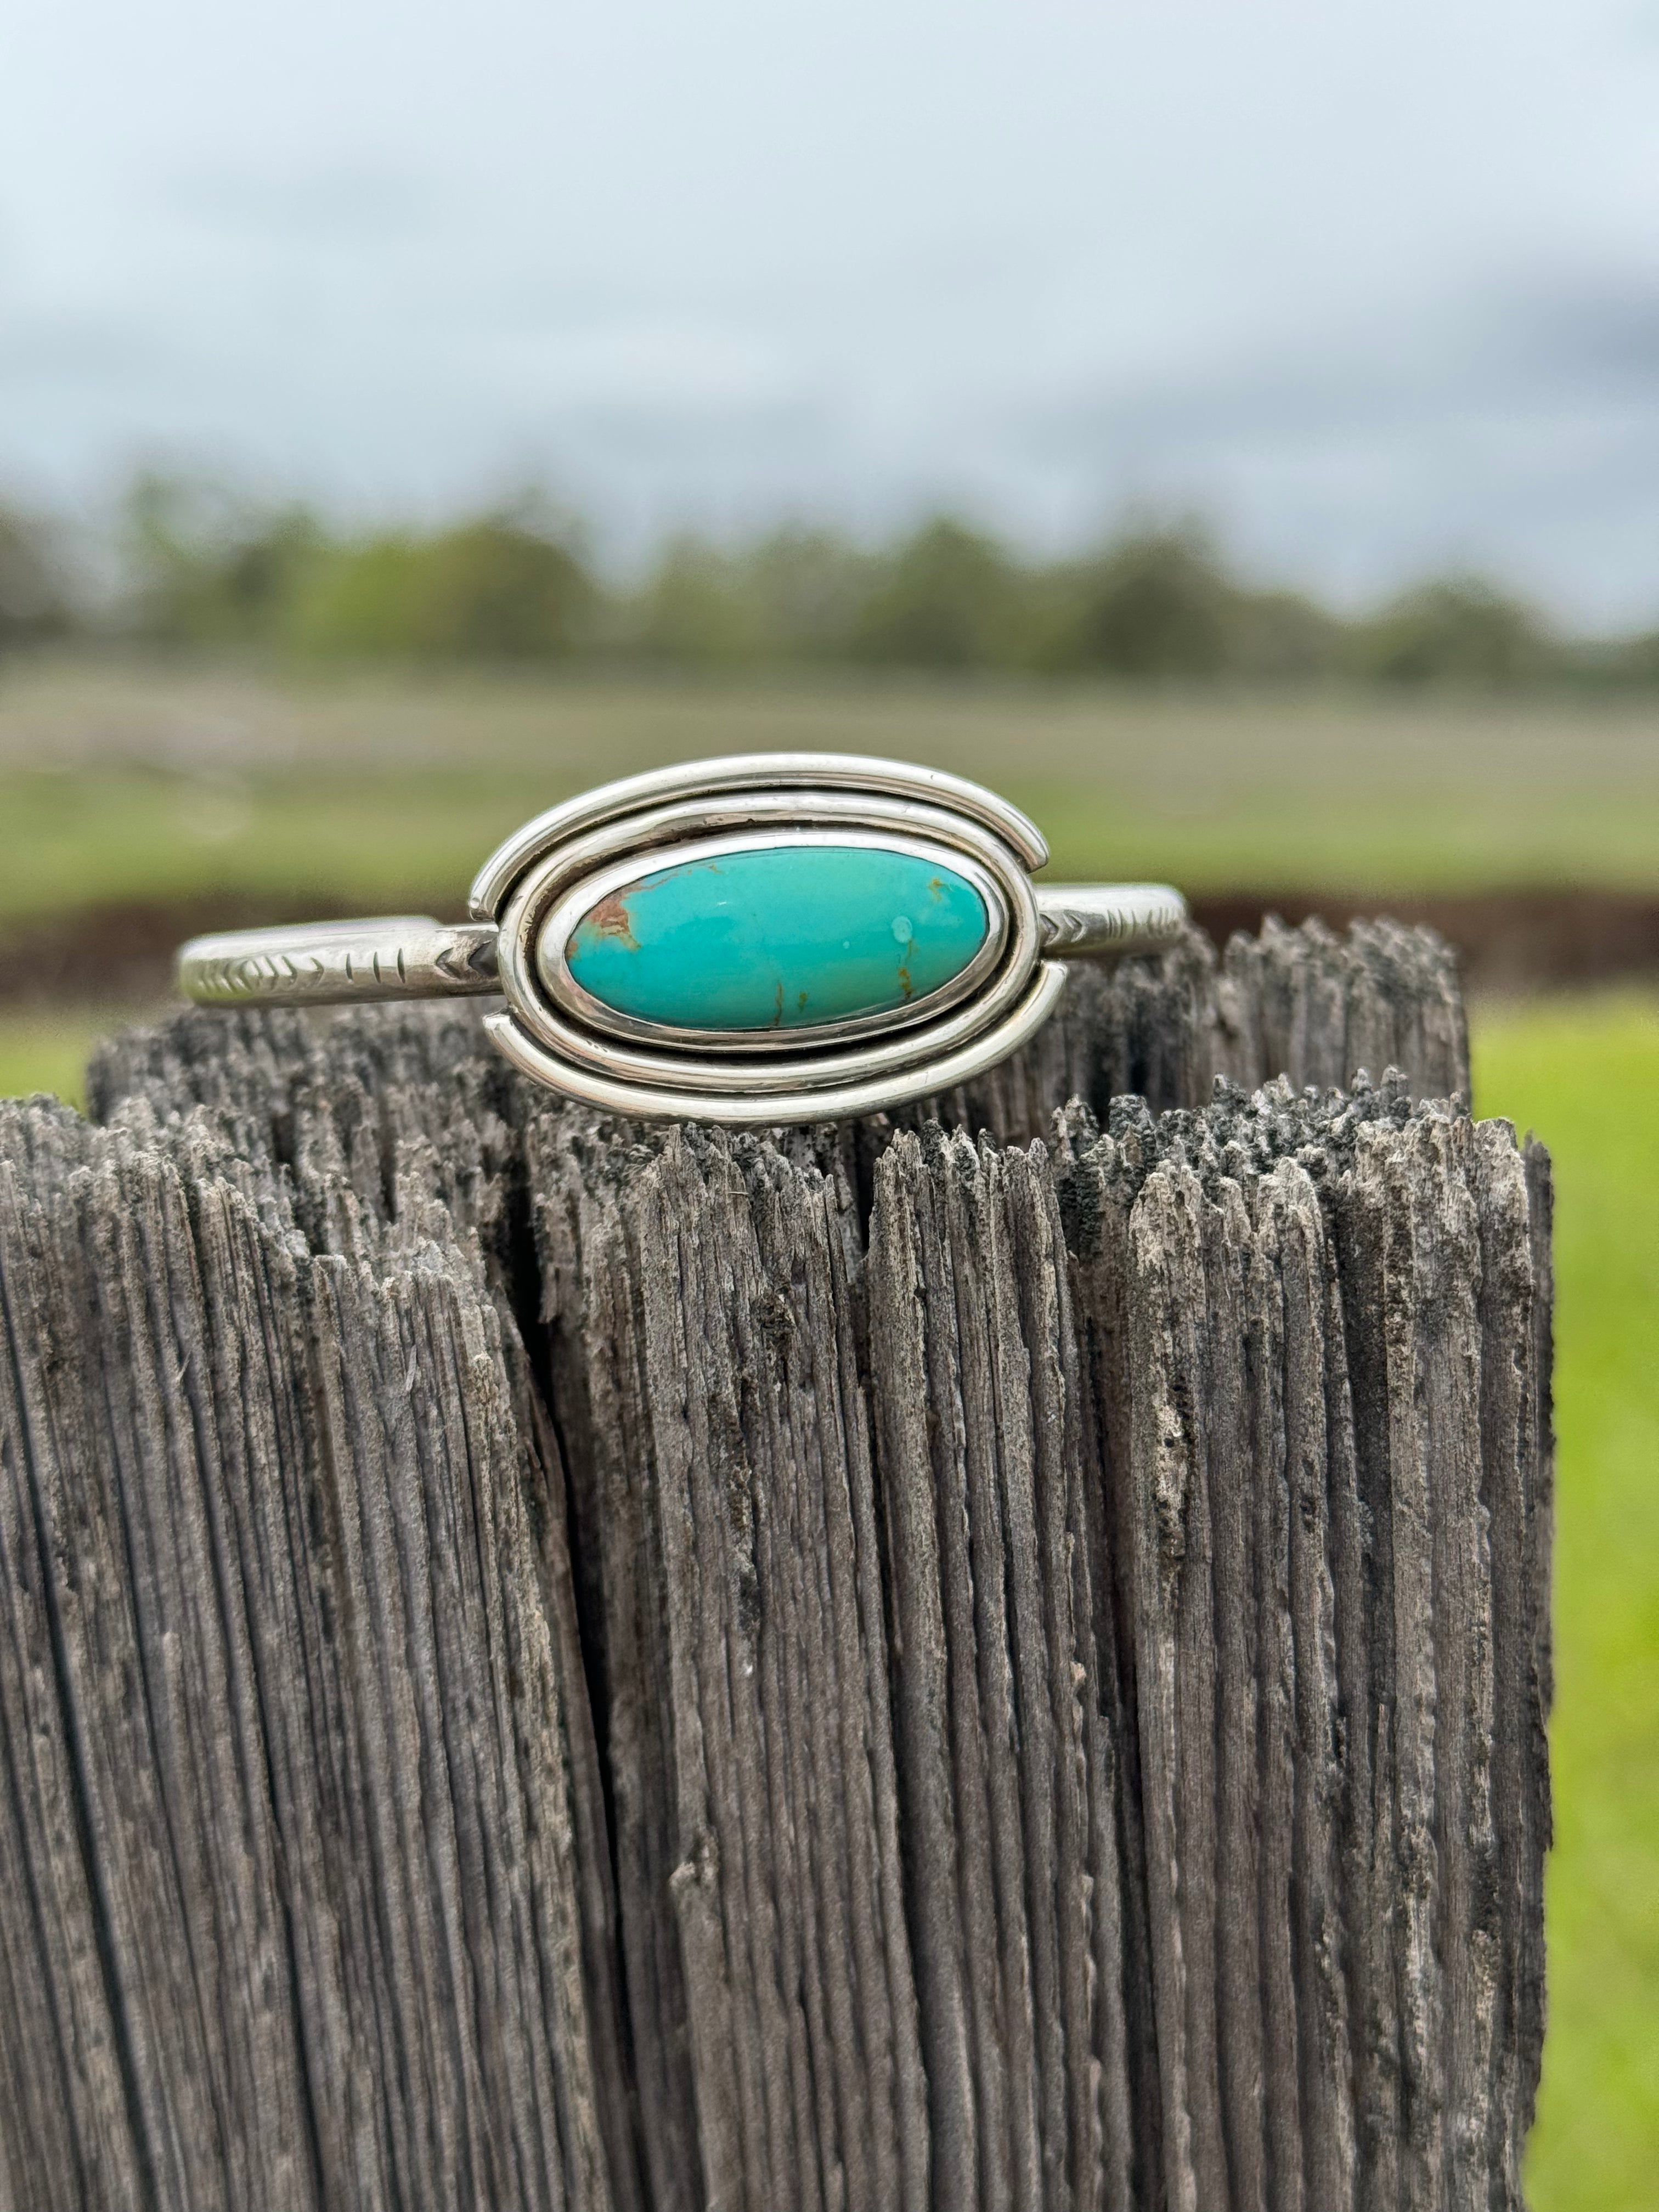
x=780, y=937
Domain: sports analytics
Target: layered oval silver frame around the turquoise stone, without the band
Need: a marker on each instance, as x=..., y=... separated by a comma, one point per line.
x=559, y=866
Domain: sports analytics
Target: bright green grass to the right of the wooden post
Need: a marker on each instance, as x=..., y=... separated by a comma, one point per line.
x=1587, y=1078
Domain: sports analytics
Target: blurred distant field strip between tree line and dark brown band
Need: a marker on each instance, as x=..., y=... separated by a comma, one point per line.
x=149, y=784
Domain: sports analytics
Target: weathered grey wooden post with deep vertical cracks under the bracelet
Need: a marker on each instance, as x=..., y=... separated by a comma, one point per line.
x=563, y=1665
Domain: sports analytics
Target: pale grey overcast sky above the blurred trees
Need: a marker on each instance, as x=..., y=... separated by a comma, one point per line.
x=1373, y=284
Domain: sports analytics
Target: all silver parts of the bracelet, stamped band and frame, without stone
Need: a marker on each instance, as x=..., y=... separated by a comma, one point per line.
x=534, y=890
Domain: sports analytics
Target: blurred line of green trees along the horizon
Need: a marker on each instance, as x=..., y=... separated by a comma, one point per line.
x=202, y=567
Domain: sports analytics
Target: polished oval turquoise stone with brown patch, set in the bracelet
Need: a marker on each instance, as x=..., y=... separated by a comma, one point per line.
x=786, y=937
